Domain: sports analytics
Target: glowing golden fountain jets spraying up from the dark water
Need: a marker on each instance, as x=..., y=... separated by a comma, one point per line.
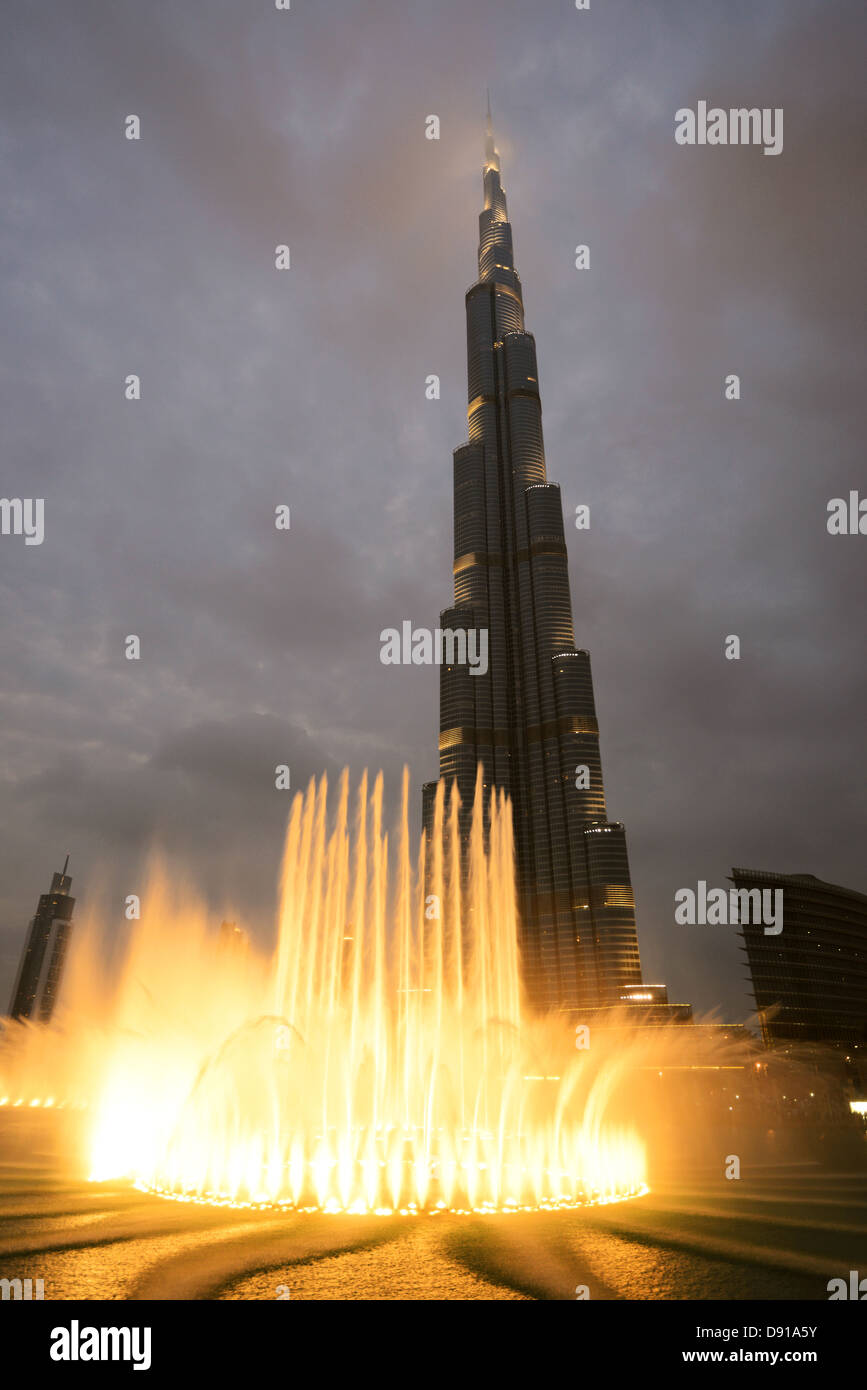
x=381, y=1060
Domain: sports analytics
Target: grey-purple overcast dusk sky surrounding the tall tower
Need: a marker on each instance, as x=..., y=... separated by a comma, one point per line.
x=308, y=389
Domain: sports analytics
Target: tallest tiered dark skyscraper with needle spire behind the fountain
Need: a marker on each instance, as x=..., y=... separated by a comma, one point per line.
x=530, y=721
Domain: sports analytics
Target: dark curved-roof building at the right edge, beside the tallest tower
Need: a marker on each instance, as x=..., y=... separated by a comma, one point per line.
x=811, y=979
